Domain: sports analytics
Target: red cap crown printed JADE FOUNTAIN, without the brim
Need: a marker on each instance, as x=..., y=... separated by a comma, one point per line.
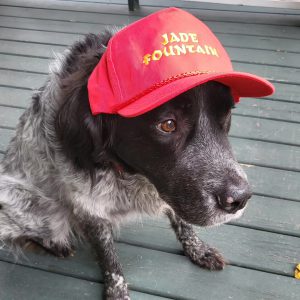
x=151, y=52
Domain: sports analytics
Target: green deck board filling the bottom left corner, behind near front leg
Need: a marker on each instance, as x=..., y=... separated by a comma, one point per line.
x=18, y=282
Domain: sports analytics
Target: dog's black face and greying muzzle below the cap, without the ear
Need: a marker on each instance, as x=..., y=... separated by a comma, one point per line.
x=182, y=147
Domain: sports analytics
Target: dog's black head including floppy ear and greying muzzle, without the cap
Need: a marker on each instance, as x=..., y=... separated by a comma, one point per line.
x=182, y=147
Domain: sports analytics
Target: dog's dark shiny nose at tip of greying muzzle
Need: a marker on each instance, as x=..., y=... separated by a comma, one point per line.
x=235, y=197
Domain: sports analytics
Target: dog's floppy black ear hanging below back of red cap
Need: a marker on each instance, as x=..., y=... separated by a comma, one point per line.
x=83, y=138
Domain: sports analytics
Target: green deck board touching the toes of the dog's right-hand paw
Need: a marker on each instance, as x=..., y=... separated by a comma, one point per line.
x=156, y=272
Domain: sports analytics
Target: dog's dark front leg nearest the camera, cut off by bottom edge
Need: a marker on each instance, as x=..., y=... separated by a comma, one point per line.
x=99, y=232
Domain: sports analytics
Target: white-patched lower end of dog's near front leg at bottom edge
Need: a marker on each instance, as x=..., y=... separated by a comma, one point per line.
x=116, y=287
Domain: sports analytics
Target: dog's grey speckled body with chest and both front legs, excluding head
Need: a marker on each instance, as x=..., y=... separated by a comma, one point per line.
x=45, y=198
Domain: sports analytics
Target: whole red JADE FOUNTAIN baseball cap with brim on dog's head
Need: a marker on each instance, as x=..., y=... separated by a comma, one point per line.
x=159, y=57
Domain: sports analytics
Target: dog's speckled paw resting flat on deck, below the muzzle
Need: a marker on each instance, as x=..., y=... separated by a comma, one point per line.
x=203, y=255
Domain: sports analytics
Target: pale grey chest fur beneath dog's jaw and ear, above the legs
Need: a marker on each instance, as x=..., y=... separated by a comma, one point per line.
x=116, y=199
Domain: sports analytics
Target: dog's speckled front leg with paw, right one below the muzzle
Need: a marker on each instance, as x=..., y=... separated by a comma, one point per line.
x=198, y=252
